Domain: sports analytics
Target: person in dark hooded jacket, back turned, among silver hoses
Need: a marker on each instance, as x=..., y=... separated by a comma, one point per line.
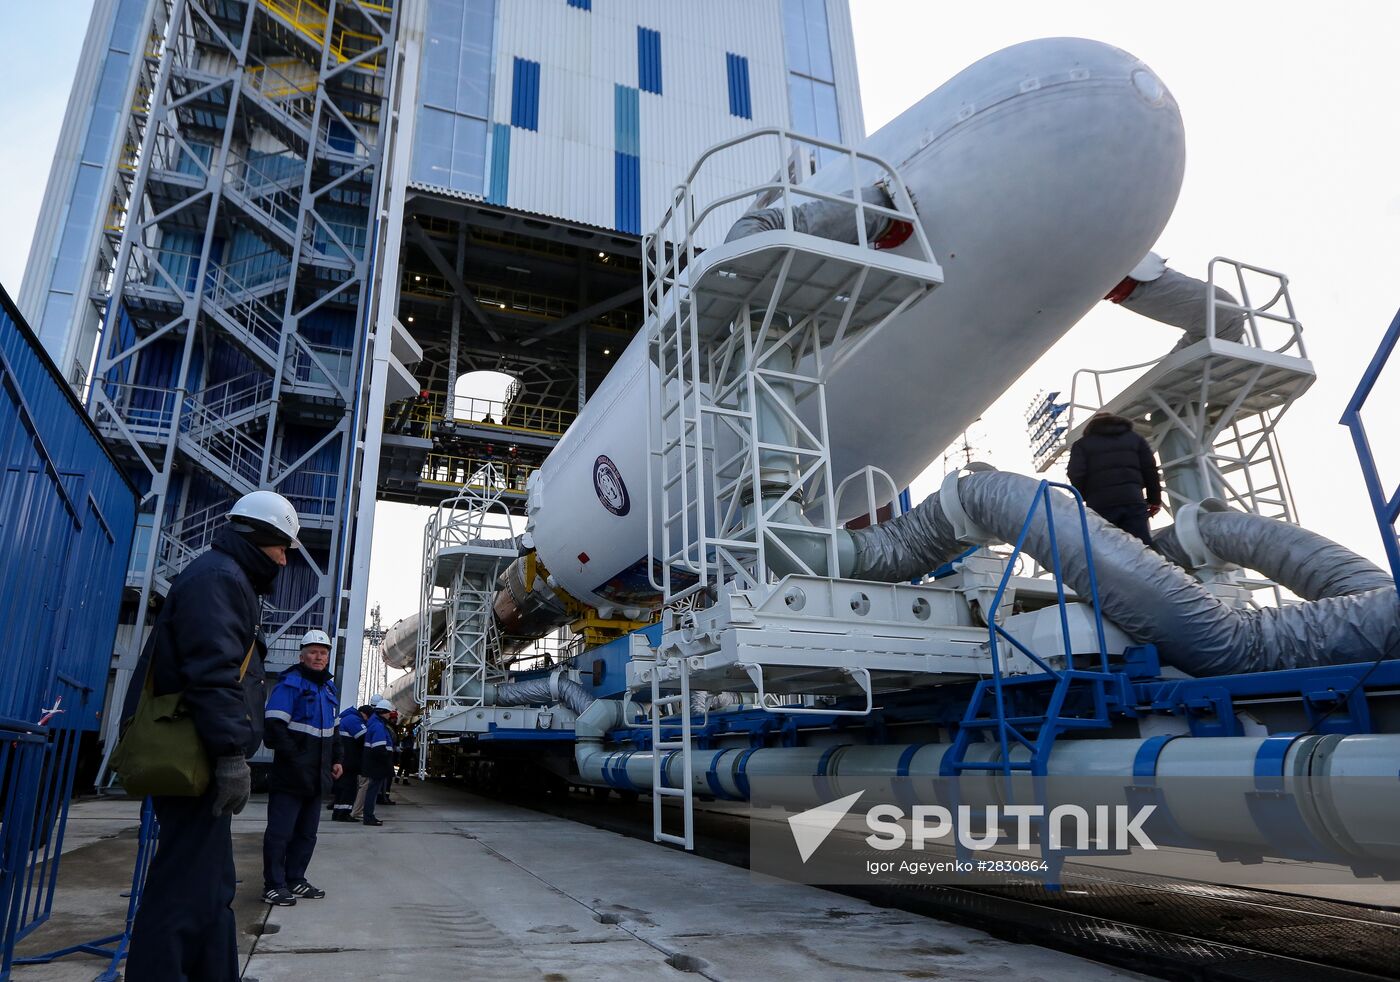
x=1112, y=467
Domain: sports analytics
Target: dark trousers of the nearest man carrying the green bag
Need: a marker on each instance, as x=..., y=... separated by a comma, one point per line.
x=185, y=927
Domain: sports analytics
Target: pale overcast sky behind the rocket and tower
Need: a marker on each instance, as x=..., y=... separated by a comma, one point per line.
x=1291, y=111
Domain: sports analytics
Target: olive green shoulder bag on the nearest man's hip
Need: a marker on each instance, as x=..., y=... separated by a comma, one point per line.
x=162, y=752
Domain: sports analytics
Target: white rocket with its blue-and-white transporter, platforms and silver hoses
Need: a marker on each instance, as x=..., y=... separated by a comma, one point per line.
x=754, y=599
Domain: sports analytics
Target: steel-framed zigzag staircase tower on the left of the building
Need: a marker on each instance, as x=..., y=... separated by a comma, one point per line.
x=222, y=99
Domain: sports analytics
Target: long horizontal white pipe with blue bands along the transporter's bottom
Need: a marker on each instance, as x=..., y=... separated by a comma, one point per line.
x=1350, y=805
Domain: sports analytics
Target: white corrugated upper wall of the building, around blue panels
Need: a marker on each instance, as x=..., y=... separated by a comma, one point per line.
x=566, y=169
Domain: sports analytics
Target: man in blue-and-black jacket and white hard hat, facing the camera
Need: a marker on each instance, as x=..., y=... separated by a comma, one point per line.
x=307, y=757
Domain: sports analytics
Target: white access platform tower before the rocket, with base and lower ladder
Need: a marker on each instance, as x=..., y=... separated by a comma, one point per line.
x=744, y=338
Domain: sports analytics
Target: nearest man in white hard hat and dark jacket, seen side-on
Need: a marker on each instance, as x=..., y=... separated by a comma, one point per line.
x=208, y=644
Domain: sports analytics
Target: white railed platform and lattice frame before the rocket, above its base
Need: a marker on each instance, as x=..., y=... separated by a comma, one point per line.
x=744, y=340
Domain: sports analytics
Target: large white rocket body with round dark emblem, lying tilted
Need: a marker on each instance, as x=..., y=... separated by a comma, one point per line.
x=1041, y=176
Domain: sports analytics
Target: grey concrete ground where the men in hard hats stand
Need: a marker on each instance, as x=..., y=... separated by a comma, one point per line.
x=461, y=887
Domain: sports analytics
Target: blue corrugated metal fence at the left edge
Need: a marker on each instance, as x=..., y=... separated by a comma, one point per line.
x=66, y=522
